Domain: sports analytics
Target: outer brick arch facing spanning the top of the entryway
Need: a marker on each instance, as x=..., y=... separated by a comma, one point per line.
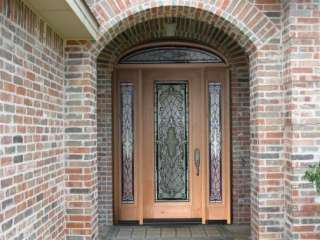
x=244, y=21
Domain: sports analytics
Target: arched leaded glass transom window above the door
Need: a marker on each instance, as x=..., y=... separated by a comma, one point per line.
x=167, y=54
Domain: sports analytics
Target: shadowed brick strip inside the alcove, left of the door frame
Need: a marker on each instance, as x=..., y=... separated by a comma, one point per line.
x=104, y=142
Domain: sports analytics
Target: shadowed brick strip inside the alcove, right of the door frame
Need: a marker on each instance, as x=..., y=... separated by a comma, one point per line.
x=240, y=136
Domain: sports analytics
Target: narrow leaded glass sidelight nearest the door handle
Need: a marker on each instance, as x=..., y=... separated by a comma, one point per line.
x=215, y=138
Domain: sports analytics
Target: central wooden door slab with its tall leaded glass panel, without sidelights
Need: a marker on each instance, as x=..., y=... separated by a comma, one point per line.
x=173, y=125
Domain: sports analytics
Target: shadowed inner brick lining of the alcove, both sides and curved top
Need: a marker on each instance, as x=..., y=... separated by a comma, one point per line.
x=187, y=30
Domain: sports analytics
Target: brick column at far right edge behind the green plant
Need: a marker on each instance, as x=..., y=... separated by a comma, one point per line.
x=301, y=52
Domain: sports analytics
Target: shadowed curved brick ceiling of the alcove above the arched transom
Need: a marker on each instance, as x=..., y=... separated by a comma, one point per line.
x=173, y=28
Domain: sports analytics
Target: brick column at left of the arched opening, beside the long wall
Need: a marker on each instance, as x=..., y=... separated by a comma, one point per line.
x=80, y=142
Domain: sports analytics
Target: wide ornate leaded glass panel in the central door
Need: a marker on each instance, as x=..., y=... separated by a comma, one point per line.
x=171, y=143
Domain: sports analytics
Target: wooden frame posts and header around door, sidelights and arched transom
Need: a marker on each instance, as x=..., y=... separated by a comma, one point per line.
x=115, y=127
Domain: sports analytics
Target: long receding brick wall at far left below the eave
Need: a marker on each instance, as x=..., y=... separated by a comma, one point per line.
x=31, y=126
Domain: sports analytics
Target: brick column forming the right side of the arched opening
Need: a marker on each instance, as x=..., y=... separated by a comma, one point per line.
x=267, y=197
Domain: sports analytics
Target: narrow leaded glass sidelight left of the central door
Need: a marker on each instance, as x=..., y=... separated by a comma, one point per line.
x=127, y=142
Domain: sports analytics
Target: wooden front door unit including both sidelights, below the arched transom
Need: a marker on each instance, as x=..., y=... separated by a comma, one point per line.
x=171, y=143
